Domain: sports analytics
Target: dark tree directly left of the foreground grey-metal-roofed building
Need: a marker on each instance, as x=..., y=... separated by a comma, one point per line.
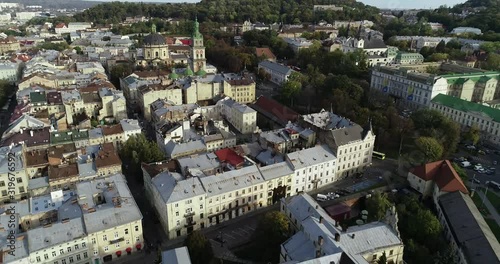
x=272, y=230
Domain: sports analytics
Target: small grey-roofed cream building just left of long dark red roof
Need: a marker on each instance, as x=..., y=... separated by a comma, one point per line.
x=242, y=117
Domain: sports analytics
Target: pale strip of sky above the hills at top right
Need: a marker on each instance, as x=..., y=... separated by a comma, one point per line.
x=410, y=3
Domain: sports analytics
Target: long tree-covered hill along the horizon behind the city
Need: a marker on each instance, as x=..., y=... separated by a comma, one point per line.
x=226, y=11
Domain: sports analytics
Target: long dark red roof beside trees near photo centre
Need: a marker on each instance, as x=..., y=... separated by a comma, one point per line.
x=275, y=110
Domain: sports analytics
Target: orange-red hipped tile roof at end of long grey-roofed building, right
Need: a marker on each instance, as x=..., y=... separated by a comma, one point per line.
x=443, y=174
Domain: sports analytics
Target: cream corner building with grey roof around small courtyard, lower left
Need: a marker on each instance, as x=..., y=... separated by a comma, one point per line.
x=112, y=219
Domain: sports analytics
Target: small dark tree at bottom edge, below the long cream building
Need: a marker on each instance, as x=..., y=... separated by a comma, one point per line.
x=199, y=247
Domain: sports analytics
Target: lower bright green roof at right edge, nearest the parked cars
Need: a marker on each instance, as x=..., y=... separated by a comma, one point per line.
x=466, y=106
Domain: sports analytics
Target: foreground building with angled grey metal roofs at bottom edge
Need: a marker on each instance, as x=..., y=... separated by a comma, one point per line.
x=321, y=239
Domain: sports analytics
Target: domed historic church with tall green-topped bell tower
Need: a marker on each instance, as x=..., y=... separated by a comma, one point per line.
x=155, y=51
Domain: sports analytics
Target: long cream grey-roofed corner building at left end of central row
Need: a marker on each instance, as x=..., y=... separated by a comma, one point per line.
x=187, y=204
